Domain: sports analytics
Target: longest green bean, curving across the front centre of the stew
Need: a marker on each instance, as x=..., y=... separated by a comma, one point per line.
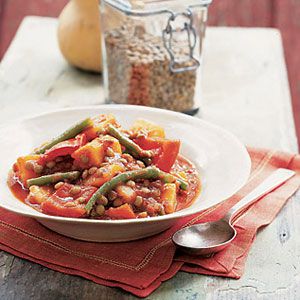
x=147, y=173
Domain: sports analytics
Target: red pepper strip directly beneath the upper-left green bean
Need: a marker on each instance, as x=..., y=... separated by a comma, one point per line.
x=63, y=148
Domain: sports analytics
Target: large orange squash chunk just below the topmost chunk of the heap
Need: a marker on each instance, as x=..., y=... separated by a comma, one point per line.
x=93, y=153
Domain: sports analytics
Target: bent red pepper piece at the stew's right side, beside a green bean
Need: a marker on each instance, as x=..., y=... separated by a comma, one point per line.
x=166, y=151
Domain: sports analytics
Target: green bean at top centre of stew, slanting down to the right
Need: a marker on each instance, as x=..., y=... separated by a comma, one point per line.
x=131, y=147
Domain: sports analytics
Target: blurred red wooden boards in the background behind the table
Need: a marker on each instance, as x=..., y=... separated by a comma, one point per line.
x=282, y=14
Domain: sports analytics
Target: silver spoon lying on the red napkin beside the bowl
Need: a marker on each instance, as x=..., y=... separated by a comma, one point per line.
x=212, y=237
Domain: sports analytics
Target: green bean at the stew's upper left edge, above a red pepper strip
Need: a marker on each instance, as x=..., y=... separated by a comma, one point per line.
x=68, y=134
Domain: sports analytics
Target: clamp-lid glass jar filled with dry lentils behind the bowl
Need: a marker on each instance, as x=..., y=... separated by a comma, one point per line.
x=152, y=52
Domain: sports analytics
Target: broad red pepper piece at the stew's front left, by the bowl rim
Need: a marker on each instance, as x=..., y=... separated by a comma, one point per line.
x=63, y=204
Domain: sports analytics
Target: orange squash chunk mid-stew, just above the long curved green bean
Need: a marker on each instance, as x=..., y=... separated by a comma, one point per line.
x=107, y=173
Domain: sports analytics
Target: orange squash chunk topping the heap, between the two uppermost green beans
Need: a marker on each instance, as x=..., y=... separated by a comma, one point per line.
x=100, y=124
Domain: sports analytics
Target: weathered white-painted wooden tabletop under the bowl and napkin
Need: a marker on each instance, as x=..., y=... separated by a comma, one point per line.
x=252, y=101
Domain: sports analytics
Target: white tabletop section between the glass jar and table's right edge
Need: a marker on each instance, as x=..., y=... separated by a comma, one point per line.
x=245, y=86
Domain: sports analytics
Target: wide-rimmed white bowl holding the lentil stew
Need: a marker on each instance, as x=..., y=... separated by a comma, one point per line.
x=222, y=161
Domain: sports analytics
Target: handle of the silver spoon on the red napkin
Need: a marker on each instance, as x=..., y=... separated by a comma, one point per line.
x=277, y=178
